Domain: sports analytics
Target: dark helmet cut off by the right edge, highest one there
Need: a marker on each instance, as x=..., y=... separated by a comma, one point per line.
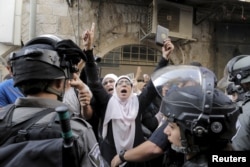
x=238, y=69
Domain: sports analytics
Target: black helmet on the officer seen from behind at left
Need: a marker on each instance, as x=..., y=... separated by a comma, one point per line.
x=45, y=57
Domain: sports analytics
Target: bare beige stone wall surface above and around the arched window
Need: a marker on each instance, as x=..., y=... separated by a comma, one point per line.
x=119, y=24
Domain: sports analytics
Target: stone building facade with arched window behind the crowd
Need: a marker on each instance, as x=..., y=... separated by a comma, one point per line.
x=120, y=24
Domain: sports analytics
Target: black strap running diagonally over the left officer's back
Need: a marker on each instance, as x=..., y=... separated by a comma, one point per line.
x=13, y=130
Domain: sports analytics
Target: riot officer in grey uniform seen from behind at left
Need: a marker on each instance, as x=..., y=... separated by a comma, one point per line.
x=41, y=69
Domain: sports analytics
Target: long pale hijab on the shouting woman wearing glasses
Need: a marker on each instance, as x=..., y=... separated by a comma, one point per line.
x=123, y=115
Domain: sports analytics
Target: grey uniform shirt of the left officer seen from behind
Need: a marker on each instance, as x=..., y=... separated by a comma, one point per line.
x=27, y=107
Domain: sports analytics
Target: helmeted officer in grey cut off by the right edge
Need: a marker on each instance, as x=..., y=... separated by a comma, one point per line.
x=239, y=73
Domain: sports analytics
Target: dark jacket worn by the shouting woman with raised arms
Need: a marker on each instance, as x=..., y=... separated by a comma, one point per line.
x=102, y=98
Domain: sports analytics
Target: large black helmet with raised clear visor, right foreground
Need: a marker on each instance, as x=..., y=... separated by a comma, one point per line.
x=205, y=114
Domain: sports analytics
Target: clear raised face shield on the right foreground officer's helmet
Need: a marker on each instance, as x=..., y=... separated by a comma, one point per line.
x=175, y=78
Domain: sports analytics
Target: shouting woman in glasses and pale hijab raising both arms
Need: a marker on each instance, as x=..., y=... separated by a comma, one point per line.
x=121, y=112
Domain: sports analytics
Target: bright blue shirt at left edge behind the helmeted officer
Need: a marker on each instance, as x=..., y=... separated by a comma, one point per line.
x=8, y=93
